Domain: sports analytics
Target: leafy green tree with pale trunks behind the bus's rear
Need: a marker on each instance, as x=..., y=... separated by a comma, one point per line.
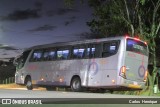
x=136, y=17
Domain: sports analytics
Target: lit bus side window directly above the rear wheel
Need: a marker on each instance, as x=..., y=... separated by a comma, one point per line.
x=78, y=52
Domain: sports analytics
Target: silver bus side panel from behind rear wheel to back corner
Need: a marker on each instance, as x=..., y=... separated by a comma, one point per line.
x=107, y=69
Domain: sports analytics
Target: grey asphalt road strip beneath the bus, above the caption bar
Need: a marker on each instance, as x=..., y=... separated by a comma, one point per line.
x=14, y=93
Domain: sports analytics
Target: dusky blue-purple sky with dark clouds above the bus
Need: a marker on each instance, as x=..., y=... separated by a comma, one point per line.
x=24, y=23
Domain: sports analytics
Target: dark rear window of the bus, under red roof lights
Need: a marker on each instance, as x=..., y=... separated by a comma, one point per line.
x=137, y=46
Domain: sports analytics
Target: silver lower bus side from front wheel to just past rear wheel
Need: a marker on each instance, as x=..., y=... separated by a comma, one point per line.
x=57, y=73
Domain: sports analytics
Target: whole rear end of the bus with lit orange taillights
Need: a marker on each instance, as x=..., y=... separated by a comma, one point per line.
x=133, y=72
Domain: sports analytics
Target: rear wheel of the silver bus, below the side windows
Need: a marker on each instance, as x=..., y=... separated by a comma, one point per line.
x=76, y=84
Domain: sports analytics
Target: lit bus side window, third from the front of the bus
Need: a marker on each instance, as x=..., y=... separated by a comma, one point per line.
x=63, y=54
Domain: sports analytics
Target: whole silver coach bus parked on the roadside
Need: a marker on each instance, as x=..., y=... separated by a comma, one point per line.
x=108, y=64
